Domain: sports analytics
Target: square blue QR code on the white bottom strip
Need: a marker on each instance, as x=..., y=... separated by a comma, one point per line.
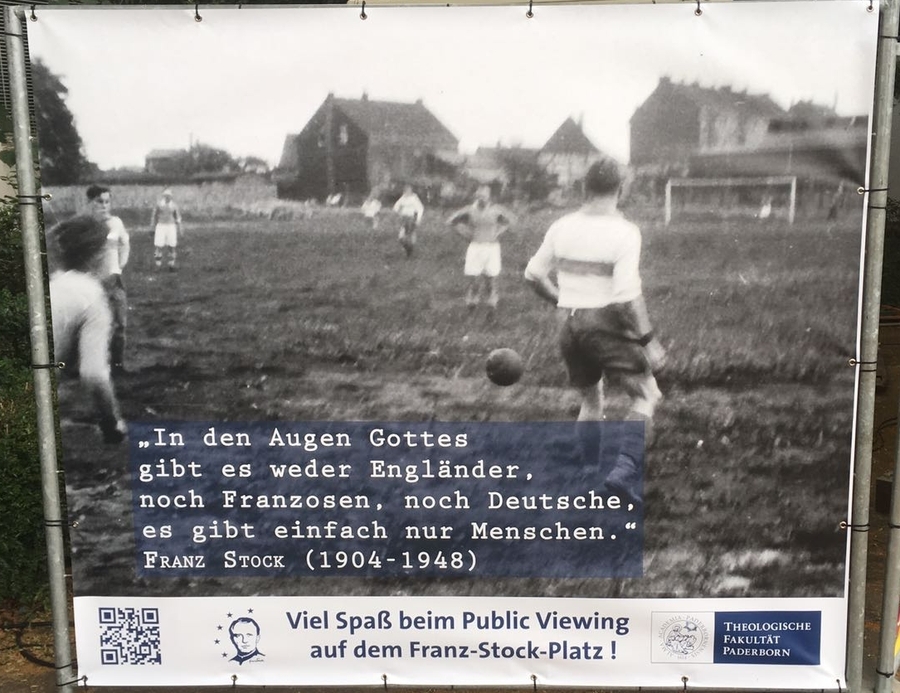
x=129, y=636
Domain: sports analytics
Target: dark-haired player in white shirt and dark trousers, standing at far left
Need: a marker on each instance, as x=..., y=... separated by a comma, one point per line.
x=118, y=248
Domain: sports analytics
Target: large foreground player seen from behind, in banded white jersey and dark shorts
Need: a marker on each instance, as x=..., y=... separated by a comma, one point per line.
x=606, y=333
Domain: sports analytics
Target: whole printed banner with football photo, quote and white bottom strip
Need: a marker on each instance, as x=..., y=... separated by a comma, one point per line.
x=457, y=347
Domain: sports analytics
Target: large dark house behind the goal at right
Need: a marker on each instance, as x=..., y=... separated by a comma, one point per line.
x=722, y=138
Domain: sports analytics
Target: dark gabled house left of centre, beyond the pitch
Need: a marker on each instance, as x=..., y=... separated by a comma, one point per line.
x=351, y=146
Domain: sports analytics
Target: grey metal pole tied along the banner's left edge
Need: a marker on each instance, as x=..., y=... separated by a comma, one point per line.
x=40, y=350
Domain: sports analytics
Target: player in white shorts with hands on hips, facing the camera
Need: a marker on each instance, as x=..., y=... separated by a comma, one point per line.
x=482, y=223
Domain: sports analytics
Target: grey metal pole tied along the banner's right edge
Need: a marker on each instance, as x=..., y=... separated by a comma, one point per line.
x=884, y=94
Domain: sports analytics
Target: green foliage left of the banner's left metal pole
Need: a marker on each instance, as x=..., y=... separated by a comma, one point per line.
x=22, y=548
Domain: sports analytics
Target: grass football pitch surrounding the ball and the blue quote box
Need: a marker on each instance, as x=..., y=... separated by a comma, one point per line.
x=323, y=319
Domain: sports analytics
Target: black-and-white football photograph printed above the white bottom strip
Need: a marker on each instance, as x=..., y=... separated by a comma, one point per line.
x=462, y=217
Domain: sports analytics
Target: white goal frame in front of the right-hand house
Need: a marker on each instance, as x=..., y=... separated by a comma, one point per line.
x=722, y=198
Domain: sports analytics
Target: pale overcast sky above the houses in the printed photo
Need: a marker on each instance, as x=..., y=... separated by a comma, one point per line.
x=148, y=78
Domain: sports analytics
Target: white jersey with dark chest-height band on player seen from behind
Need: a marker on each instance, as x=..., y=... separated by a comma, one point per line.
x=596, y=258
